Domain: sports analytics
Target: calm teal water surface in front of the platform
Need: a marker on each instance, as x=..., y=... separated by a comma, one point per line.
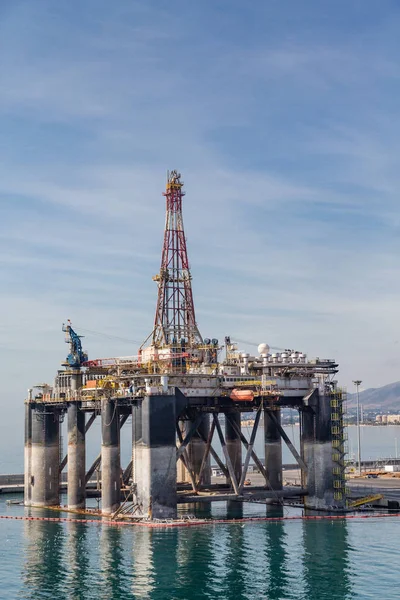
x=278, y=560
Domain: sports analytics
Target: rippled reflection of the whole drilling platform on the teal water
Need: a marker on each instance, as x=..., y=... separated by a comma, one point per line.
x=271, y=561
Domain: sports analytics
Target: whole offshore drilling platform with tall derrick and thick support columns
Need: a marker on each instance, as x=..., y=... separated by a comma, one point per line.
x=184, y=391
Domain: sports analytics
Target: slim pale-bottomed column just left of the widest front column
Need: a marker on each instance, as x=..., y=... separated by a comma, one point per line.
x=110, y=457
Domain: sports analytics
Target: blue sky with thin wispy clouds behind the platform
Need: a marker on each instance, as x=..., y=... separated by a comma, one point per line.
x=282, y=118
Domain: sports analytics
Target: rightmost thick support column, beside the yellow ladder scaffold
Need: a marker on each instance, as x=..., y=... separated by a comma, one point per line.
x=316, y=441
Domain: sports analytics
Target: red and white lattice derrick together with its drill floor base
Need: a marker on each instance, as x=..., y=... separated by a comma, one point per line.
x=176, y=342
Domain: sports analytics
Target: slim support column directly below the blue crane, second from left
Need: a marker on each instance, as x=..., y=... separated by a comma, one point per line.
x=76, y=457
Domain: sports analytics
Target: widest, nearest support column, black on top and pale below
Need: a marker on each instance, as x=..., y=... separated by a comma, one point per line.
x=156, y=457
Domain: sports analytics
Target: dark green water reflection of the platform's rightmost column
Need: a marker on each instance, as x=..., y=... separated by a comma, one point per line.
x=326, y=560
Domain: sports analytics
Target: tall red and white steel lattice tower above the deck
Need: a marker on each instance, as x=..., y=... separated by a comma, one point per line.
x=175, y=321
